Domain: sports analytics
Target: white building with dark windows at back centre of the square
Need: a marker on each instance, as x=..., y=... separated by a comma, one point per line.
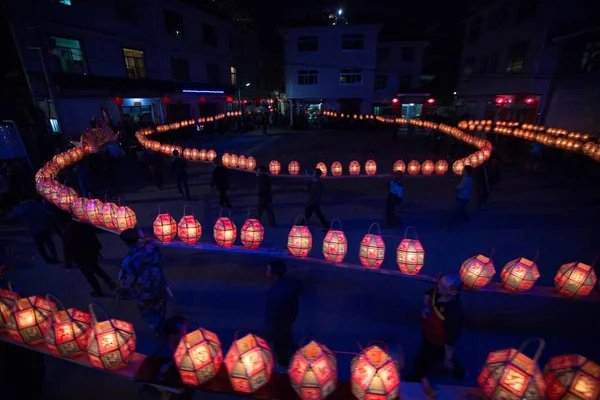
x=344, y=68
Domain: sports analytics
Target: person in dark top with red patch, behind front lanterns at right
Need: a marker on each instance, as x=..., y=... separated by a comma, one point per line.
x=442, y=323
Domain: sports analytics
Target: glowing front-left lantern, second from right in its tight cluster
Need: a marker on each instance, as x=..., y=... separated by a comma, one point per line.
x=68, y=333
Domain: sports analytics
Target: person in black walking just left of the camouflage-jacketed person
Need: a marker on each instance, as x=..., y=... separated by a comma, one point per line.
x=81, y=246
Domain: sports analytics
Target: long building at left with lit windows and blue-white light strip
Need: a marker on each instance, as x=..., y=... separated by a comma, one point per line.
x=131, y=61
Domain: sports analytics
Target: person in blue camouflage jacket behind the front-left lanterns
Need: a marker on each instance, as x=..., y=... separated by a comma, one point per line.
x=142, y=278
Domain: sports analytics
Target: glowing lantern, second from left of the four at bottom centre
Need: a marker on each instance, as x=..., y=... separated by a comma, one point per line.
x=249, y=363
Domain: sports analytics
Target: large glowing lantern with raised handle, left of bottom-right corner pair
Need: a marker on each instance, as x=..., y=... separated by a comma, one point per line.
x=510, y=374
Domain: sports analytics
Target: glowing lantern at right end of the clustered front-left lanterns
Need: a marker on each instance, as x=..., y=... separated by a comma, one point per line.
x=112, y=342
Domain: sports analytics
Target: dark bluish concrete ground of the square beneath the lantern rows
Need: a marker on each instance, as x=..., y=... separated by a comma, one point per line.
x=224, y=291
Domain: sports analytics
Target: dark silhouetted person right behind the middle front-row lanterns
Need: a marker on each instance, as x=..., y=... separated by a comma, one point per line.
x=281, y=311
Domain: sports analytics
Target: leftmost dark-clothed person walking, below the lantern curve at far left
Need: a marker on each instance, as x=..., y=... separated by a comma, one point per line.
x=39, y=221
